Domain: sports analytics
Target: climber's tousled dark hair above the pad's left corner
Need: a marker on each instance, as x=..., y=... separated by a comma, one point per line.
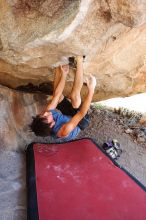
x=40, y=127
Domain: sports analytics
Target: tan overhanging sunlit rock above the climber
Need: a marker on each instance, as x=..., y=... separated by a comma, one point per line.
x=37, y=34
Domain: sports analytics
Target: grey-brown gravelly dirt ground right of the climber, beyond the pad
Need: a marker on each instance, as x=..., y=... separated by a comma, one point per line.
x=106, y=125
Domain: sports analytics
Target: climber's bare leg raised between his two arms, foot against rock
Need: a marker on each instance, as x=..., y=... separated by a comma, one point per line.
x=78, y=83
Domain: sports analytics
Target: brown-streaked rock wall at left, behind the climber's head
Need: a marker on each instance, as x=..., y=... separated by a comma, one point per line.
x=16, y=111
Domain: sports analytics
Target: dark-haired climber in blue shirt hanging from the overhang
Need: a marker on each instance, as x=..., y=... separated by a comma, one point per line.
x=64, y=118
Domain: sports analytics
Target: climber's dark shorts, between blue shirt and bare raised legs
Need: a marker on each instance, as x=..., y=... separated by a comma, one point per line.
x=66, y=108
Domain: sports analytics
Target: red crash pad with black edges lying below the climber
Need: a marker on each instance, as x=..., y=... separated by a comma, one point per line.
x=77, y=181
